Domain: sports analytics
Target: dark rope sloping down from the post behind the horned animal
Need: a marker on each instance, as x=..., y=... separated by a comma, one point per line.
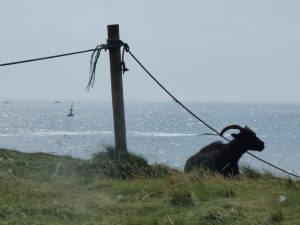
x=198, y=118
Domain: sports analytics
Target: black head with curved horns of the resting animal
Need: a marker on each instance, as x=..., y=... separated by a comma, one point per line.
x=246, y=137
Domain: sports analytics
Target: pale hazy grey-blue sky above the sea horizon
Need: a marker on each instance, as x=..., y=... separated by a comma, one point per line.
x=213, y=50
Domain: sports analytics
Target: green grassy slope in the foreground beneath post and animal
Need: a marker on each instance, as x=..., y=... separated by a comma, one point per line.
x=41, y=188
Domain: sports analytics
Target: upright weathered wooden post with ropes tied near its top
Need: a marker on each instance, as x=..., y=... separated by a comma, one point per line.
x=117, y=89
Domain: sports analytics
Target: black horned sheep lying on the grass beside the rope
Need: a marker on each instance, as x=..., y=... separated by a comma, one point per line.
x=223, y=158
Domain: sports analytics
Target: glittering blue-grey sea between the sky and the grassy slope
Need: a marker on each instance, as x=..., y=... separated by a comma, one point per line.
x=161, y=132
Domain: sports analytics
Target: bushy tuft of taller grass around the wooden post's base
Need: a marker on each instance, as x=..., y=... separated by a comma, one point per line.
x=124, y=165
